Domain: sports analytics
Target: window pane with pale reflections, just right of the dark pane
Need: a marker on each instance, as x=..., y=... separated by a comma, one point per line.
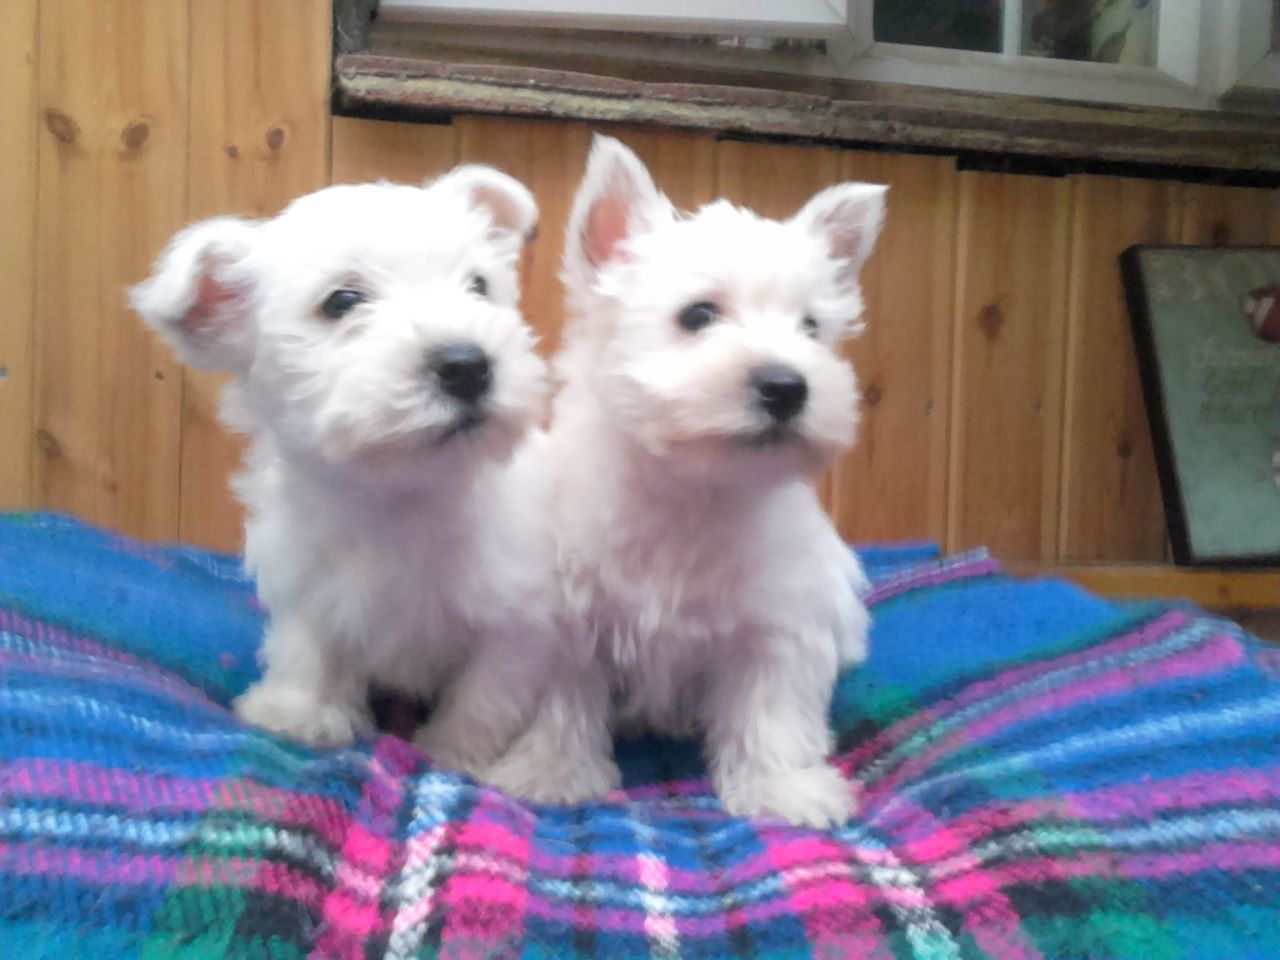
x=1104, y=31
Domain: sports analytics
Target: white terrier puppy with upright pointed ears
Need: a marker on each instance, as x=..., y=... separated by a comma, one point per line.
x=702, y=395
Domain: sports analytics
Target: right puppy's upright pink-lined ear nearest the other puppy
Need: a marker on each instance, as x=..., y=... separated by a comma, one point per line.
x=616, y=202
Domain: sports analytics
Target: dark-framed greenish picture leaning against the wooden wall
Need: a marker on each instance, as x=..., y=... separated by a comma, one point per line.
x=1206, y=324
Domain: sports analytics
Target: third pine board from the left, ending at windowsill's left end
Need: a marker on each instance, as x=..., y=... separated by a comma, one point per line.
x=259, y=139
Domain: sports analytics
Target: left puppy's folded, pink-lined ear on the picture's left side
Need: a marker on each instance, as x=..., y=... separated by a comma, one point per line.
x=200, y=295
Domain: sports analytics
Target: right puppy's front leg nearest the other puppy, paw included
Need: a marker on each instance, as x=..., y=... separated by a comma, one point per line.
x=566, y=756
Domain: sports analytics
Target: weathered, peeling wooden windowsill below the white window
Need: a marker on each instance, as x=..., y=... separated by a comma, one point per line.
x=418, y=80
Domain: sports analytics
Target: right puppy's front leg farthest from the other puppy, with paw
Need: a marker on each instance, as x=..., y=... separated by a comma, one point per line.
x=769, y=737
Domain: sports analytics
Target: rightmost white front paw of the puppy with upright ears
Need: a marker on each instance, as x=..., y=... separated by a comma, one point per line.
x=806, y=797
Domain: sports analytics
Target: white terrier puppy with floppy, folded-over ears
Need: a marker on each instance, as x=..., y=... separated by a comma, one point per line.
x=396, y=506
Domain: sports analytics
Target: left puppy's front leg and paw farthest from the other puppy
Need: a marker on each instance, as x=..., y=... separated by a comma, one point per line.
x=308, y=692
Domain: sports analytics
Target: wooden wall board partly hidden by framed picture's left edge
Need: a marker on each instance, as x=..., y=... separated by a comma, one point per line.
x=1112, y=508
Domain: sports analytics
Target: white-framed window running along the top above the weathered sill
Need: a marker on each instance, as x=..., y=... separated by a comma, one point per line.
x=1158, y=53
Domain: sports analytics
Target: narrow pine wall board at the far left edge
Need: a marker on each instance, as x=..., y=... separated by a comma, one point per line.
x=19, y=25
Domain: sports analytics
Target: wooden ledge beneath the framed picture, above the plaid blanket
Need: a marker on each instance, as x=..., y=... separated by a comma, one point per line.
x=1219, y=589
